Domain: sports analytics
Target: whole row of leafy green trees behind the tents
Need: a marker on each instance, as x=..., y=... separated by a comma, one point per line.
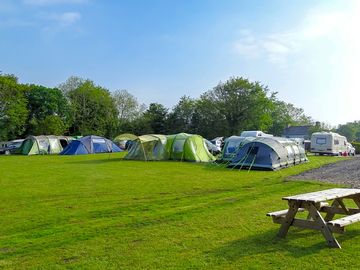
x=80, y=107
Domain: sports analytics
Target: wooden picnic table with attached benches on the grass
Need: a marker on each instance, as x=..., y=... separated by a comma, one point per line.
x=316, y=203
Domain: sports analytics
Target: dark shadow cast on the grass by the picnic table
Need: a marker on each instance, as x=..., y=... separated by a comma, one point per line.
x=299, y=243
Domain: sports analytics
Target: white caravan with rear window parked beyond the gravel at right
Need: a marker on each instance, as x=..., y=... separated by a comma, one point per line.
x=328, y=143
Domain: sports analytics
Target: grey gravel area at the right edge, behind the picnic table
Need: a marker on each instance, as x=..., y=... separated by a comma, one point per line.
x=344, y=172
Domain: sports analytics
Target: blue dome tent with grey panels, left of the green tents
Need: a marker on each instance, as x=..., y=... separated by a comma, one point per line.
x=90, y=145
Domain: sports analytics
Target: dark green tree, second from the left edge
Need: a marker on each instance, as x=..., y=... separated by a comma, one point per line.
x=44, y=102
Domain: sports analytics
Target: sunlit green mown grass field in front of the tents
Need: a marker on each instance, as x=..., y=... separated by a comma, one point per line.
x=101, y=212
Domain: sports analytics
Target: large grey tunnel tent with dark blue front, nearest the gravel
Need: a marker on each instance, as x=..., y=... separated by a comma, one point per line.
x=269, y=153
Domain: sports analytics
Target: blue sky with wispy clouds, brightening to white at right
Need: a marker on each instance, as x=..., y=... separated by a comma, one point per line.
x=159, y=50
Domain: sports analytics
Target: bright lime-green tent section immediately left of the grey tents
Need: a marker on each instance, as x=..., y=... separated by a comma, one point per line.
x=188, y=147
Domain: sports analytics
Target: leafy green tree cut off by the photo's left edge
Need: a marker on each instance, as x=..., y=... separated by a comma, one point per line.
x=13, y=111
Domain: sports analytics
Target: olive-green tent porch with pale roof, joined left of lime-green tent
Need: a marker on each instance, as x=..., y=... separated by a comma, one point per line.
x=148, y=147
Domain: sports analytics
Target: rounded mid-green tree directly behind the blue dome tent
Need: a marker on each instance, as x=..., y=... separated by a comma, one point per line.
x=94, y=110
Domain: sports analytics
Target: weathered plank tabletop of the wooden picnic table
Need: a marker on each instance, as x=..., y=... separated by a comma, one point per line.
x=323, y=195
